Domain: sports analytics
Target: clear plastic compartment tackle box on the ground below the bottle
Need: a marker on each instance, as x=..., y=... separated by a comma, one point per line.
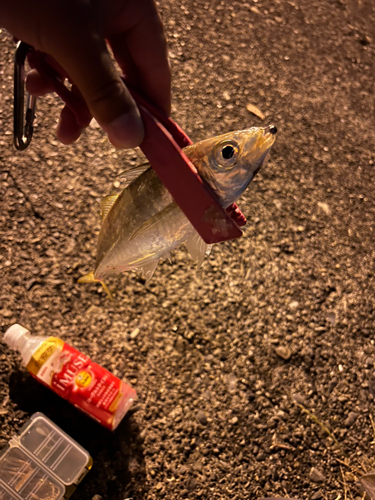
x=41, y=463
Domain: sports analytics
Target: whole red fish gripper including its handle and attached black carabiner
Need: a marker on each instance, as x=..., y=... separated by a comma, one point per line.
x=162, y=146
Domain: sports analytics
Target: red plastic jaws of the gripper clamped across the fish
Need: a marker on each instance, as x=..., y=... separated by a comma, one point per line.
x=162, y=146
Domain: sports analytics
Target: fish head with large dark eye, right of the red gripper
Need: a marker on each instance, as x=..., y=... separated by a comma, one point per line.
x=229, y=162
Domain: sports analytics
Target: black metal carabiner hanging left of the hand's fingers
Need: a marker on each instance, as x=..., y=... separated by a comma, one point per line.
x=22, y=122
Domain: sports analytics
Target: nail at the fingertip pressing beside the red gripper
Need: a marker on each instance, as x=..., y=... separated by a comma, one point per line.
x=126, y=131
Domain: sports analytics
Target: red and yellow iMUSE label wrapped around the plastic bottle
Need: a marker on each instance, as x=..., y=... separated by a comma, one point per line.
x=88, y=386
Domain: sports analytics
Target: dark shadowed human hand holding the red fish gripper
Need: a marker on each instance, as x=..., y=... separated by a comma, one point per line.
x=74, y=34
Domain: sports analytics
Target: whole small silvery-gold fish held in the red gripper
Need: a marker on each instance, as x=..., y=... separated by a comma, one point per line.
x=143, y=223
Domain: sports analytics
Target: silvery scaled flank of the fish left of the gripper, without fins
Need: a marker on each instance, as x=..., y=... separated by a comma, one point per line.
x=120, y=248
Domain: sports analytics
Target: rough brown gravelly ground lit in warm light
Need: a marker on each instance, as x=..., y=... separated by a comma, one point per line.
x=255, y=375
